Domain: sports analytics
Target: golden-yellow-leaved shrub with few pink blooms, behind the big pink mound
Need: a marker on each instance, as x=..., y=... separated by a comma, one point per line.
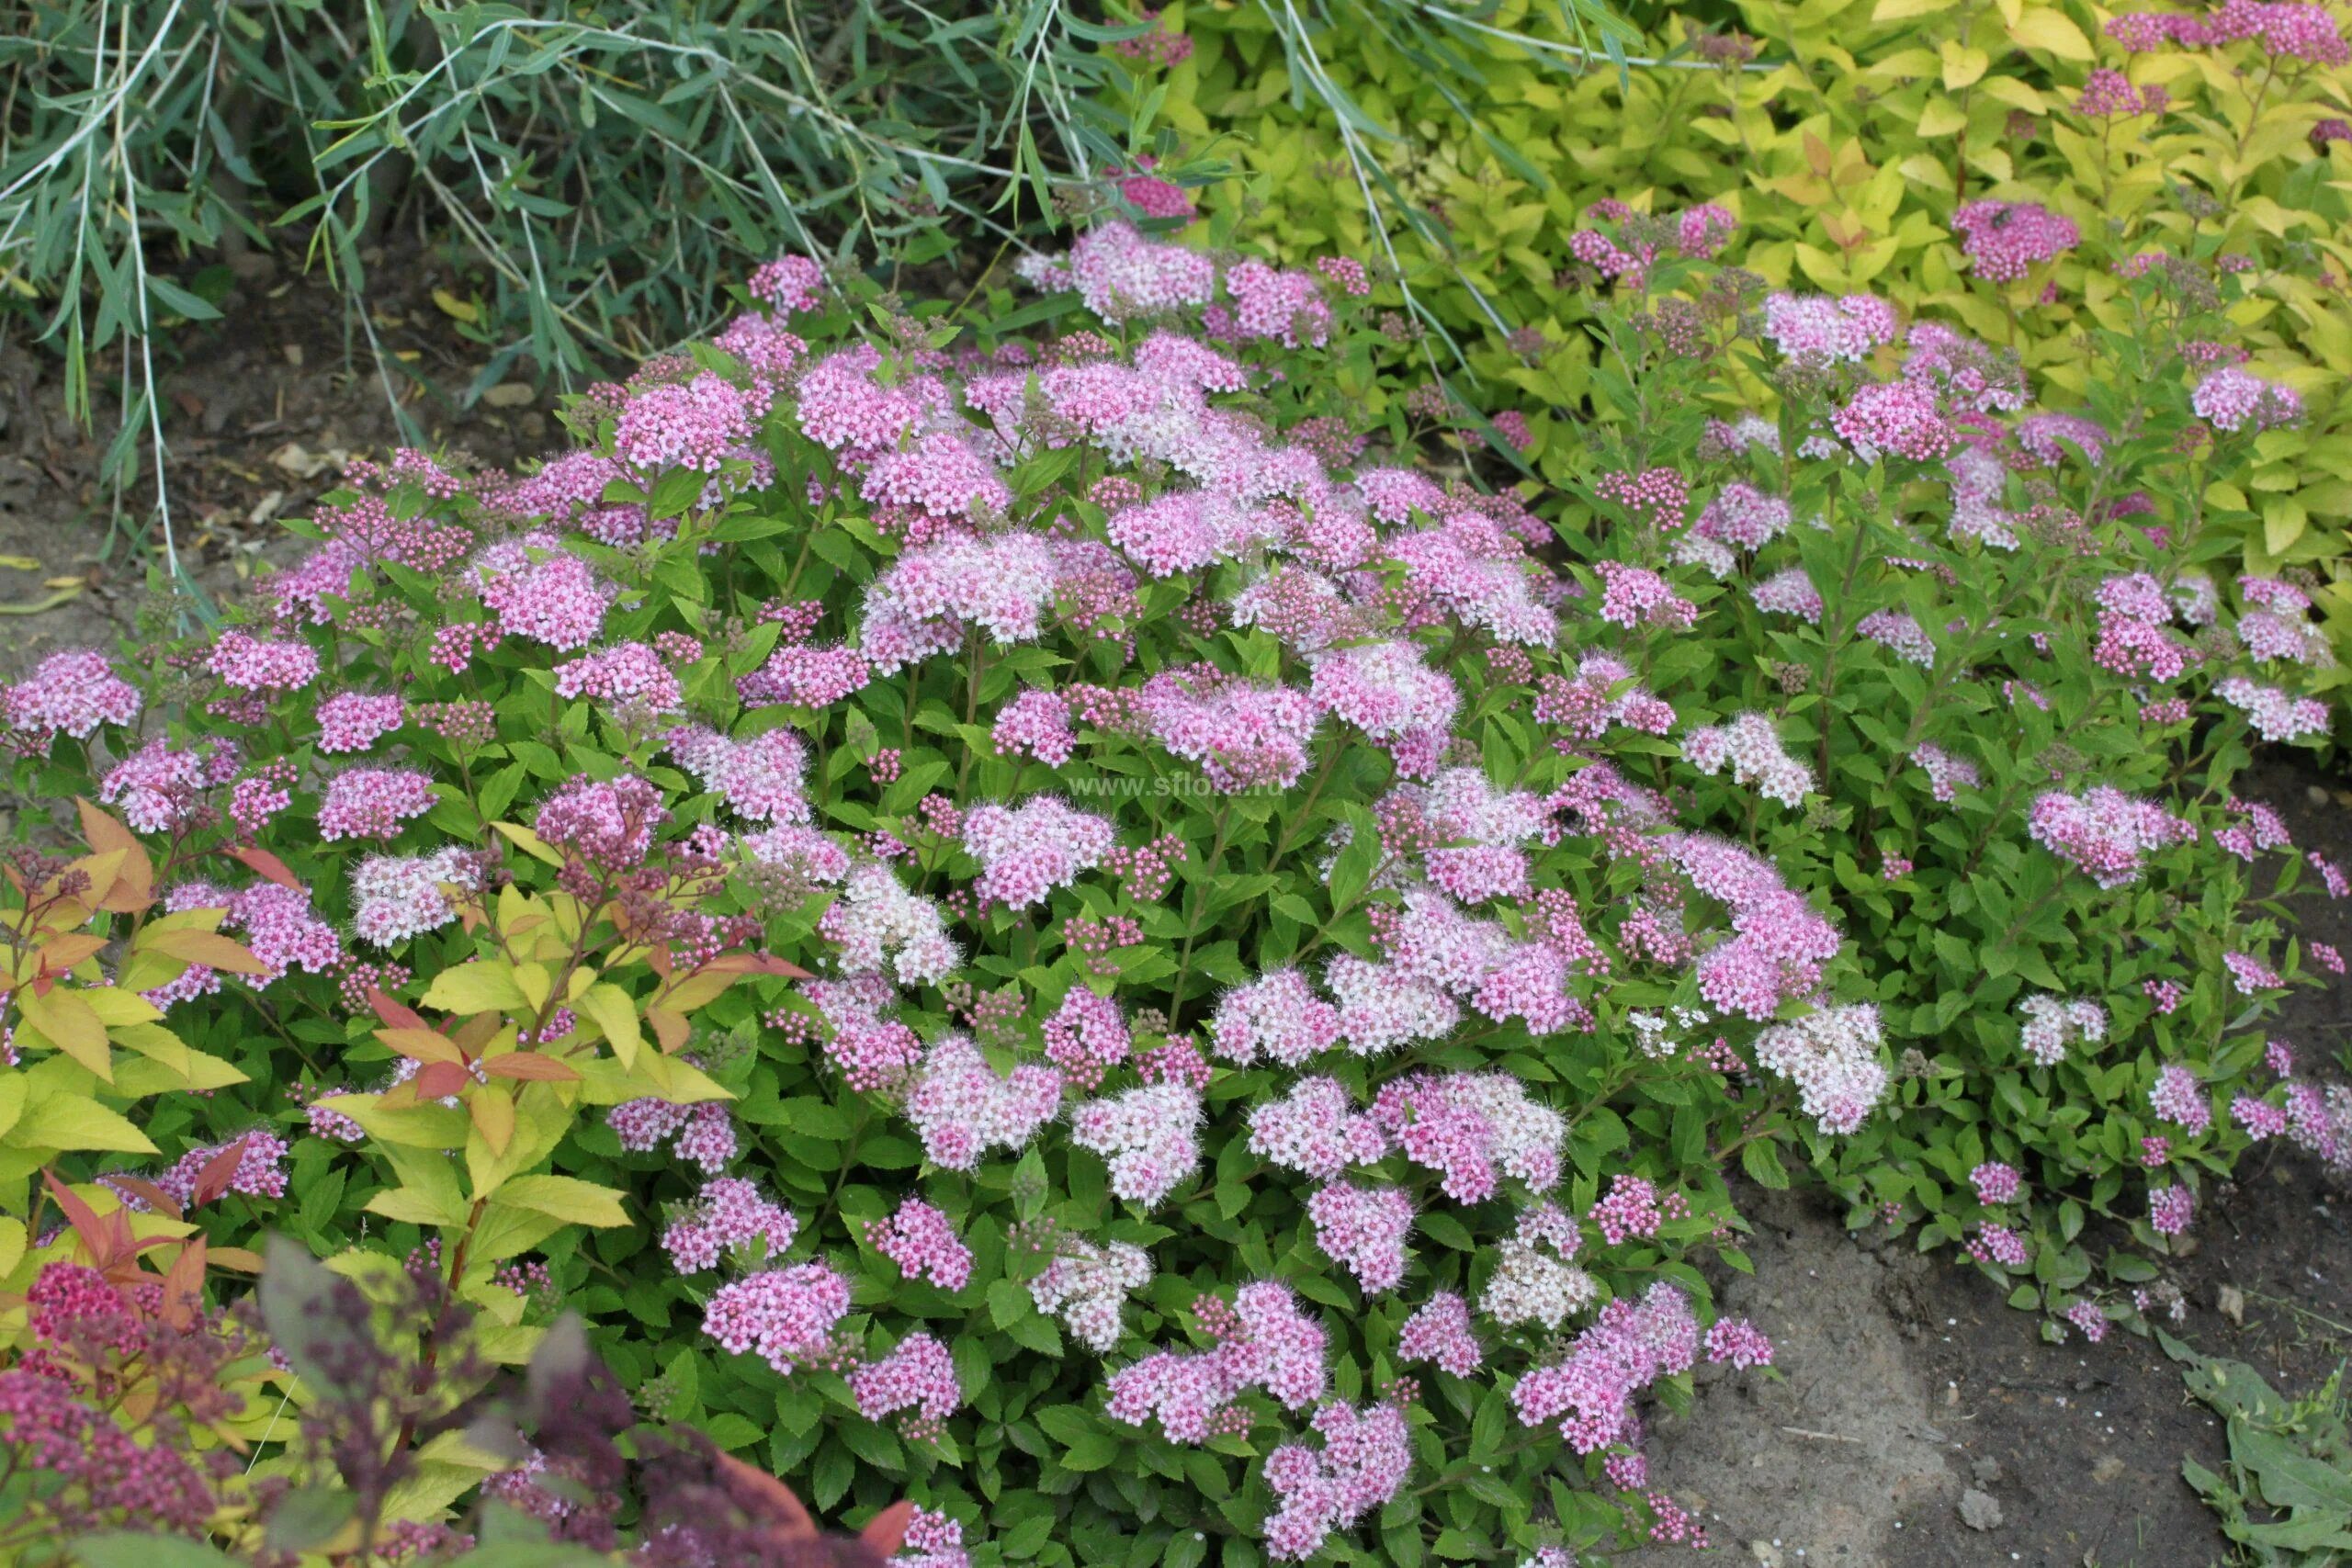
x=1998, y=168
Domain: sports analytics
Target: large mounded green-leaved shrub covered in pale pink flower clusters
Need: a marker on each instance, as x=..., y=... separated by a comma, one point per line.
x=1069, y=932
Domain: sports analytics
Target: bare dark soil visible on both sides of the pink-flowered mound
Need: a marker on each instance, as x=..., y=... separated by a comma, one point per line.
x=1902, y=1381
